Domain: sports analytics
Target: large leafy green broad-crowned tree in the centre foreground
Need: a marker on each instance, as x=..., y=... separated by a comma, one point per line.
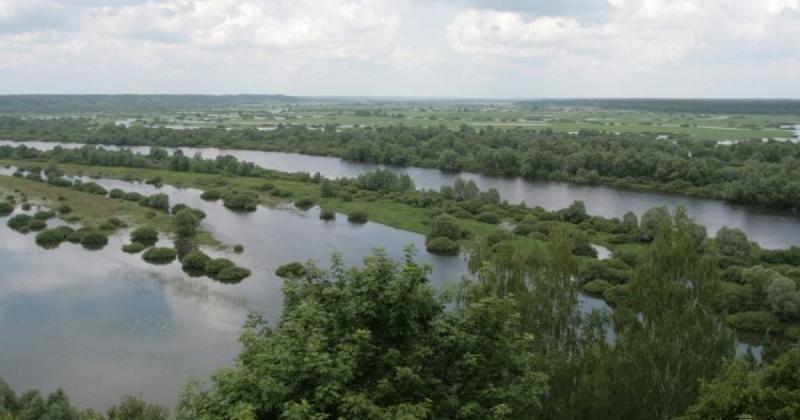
x=338, y=352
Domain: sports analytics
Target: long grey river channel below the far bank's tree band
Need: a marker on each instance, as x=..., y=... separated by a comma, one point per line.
x=771, y=229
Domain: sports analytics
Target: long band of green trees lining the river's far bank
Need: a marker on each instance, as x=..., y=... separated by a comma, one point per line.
x=751, y=172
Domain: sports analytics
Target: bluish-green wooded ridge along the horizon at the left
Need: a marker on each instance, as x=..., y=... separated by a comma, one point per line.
x=132, y=103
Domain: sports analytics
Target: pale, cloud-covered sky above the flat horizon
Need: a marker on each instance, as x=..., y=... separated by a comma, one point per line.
x=419, y=48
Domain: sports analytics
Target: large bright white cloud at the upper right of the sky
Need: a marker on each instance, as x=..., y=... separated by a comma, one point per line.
x=638, y=33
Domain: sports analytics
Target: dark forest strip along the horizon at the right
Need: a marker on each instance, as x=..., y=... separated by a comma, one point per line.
x=689, y=106
